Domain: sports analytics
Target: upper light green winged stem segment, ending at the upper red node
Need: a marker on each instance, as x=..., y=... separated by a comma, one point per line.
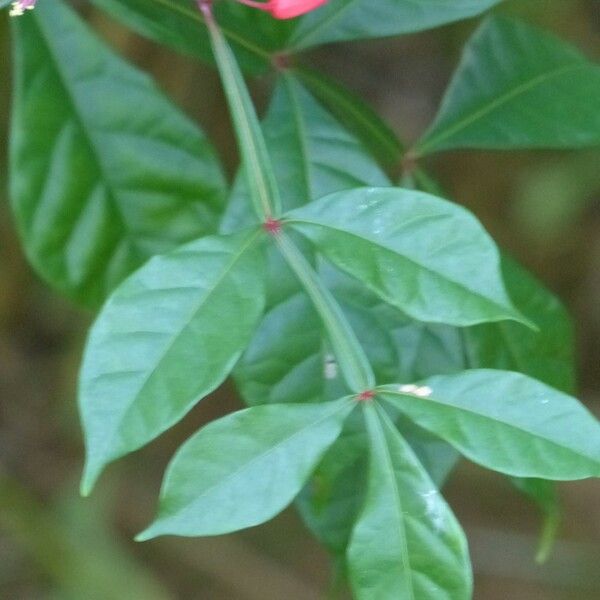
x=255, y=157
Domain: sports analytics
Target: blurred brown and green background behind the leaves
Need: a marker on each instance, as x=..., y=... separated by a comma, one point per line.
x=544, y=207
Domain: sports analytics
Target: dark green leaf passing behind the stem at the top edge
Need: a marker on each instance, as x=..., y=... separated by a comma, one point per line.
x=179, y=25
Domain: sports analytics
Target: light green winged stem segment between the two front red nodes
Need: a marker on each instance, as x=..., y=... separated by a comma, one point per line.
x=352, y=360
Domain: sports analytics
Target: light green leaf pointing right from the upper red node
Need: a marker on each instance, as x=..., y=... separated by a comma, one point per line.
x=428, y=257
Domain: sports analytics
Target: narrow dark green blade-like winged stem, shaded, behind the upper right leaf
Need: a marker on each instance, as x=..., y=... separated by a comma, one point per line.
x=356, y=115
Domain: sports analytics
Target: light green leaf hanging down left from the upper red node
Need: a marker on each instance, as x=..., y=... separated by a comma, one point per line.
x=167, y=337
